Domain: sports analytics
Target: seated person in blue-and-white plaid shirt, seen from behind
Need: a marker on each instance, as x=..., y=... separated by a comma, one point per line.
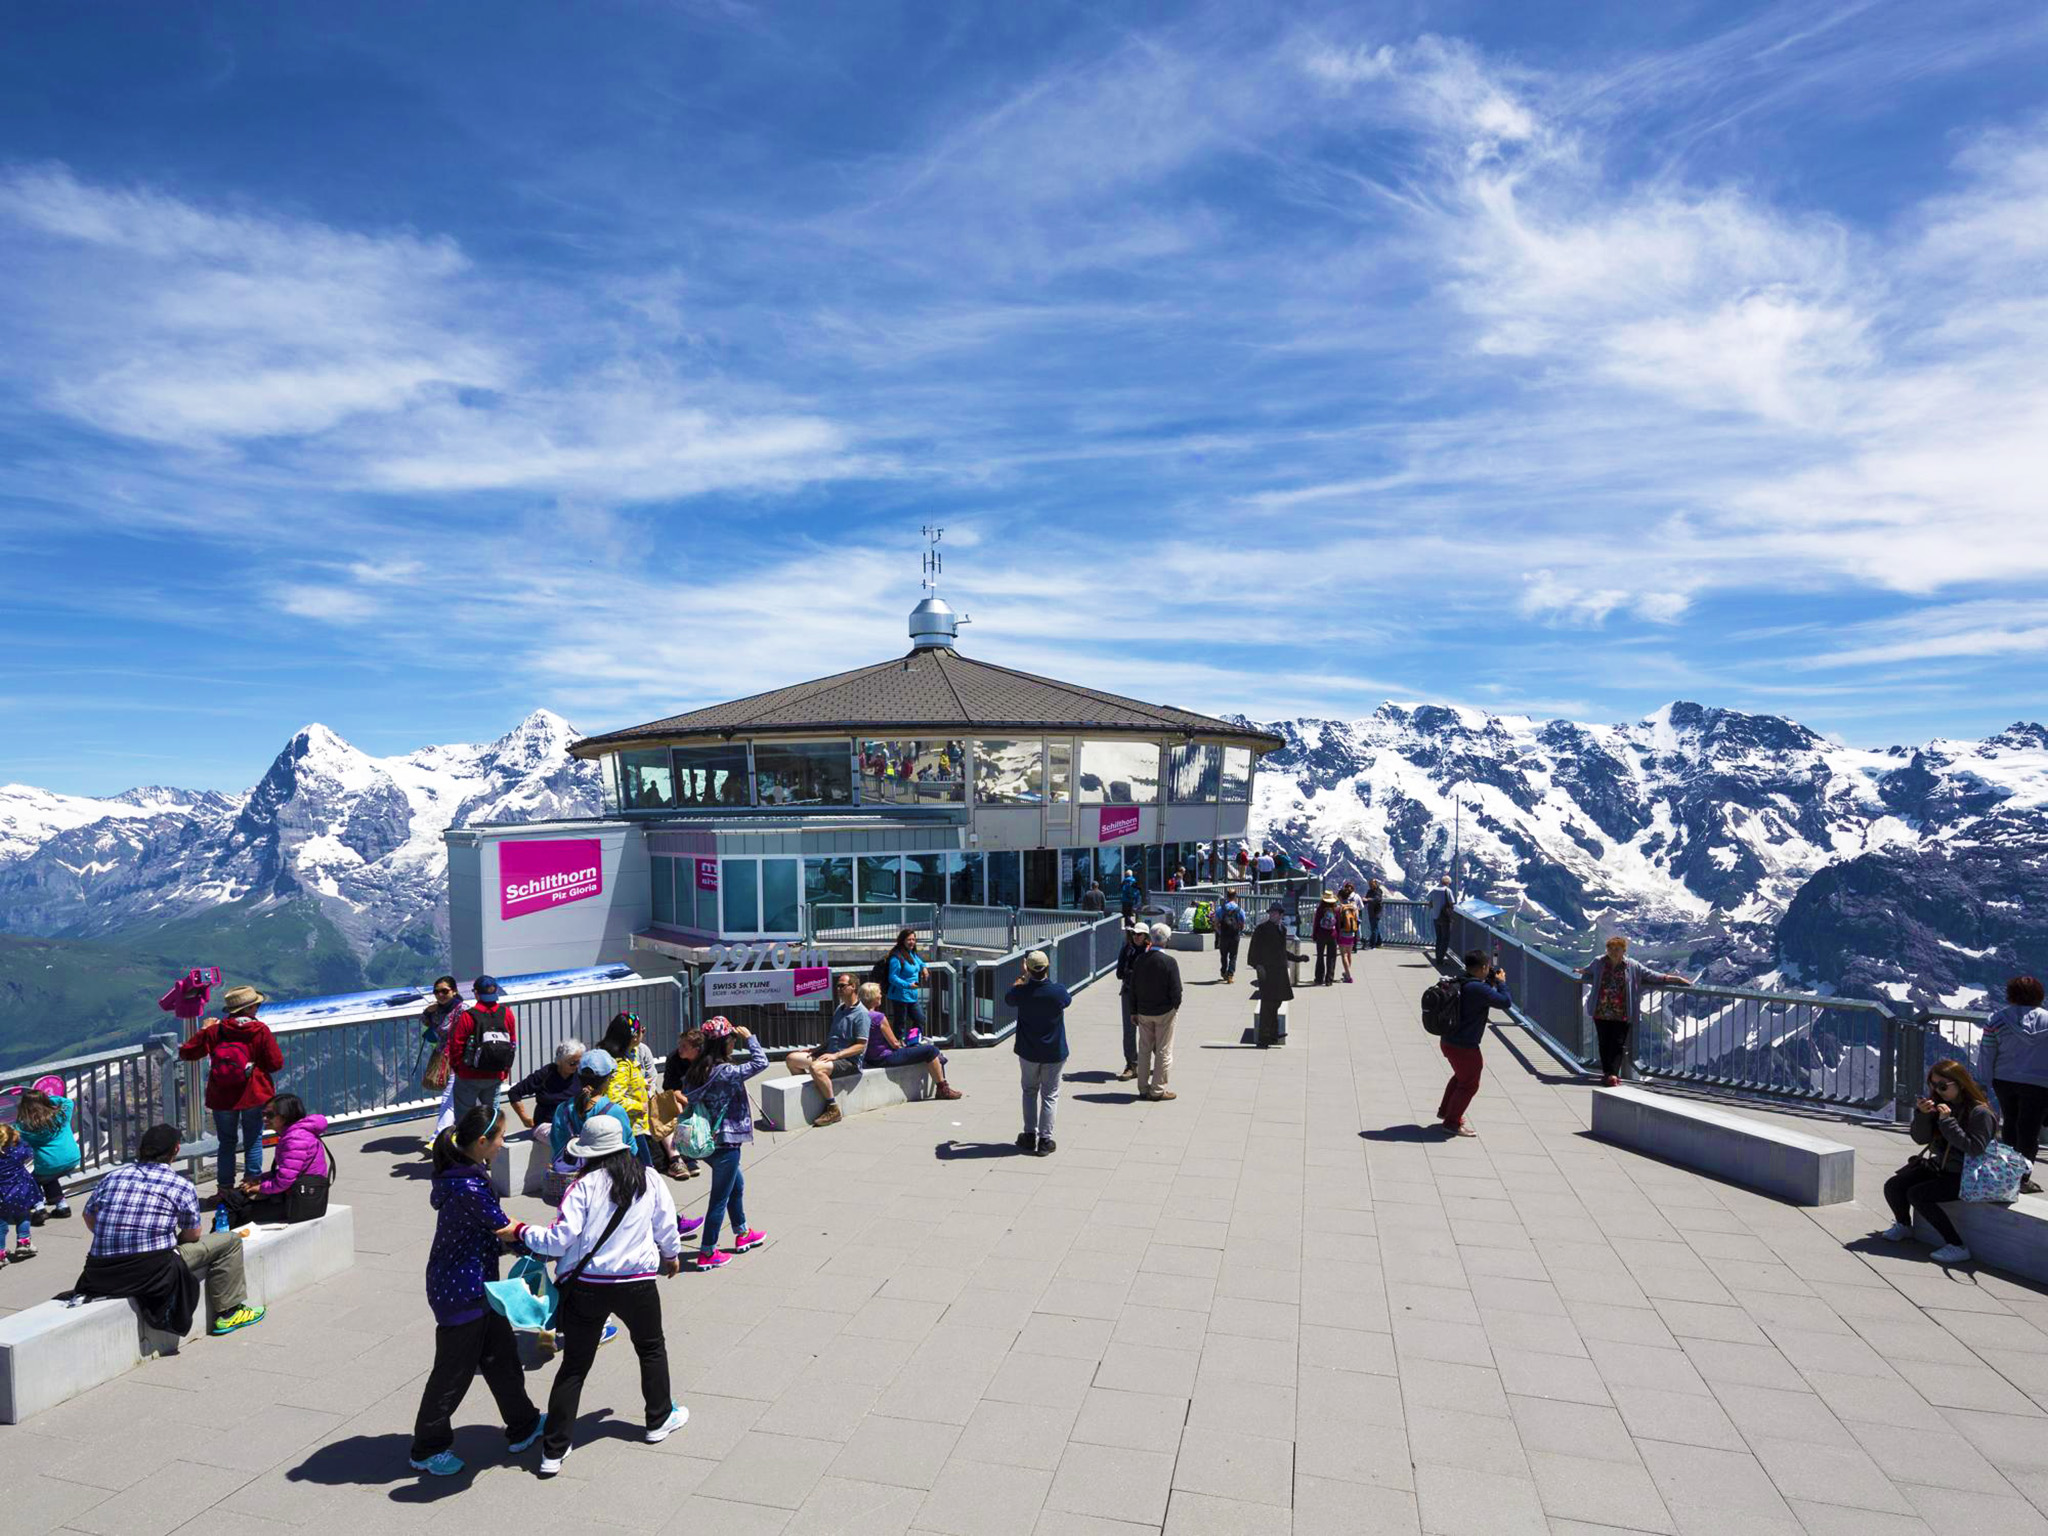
x=146, y=1244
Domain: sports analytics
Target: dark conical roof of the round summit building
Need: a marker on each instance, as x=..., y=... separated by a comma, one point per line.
x=929, y=691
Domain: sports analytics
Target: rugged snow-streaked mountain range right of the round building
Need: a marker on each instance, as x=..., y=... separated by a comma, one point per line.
x=1697, y=828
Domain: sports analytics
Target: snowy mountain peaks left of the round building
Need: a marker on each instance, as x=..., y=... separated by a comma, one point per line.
x=355, y=835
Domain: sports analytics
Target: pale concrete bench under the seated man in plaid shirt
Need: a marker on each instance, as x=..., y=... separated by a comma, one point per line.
x=52, y=1353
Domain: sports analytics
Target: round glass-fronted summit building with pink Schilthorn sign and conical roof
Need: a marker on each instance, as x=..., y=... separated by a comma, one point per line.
x=859, y=800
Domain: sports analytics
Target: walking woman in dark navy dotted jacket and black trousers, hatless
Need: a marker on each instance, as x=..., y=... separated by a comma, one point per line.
x=470, y=1336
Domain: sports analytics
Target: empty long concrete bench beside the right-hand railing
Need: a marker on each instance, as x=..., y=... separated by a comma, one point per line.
x=1760, y=1156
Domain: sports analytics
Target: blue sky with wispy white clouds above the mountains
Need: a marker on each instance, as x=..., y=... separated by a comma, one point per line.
x=409, y=368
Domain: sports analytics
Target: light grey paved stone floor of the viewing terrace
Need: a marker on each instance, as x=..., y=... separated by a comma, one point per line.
x=1275, y=1306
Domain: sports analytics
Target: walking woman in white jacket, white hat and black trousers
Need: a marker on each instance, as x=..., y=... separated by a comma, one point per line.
x=615, y=1234
